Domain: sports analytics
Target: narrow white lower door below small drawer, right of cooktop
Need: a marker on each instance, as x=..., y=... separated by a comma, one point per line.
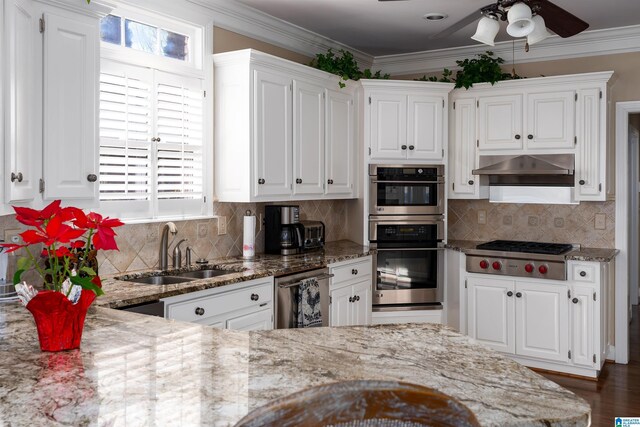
x=582, y=321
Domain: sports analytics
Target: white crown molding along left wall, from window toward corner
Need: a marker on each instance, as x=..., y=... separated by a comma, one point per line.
x=250, y=22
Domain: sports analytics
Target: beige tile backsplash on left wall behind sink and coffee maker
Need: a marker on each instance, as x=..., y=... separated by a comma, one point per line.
x=139, y=243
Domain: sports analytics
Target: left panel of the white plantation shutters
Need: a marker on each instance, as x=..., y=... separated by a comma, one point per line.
x=126, y=126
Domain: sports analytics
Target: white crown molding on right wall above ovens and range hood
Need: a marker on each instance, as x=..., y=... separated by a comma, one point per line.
x=588, y=43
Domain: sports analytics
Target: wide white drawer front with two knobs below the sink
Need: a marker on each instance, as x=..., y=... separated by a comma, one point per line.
x=204, y=307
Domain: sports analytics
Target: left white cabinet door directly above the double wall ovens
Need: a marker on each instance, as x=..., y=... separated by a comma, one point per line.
x=388, y=127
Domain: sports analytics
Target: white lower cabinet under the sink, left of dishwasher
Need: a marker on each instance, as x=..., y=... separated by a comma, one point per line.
x=246, y=306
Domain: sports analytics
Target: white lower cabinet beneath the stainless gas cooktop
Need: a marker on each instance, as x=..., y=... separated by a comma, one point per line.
x=546, y=324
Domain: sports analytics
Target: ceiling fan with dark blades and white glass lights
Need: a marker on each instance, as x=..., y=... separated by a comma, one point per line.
x=525, y=17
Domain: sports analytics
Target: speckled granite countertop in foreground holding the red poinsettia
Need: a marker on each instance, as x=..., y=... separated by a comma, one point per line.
x=141, y=370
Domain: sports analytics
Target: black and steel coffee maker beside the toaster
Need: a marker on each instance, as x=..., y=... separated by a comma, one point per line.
x=283, y=233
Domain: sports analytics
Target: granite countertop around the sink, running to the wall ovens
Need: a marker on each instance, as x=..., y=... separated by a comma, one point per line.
x=123, y=293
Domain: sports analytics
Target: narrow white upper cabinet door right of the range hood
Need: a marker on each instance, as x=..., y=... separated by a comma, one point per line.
x=591, y=153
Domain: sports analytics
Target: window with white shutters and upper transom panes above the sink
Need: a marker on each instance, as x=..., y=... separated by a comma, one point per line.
x=151, y=127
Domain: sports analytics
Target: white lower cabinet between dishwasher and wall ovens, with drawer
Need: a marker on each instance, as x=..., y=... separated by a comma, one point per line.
x=350, y=291
